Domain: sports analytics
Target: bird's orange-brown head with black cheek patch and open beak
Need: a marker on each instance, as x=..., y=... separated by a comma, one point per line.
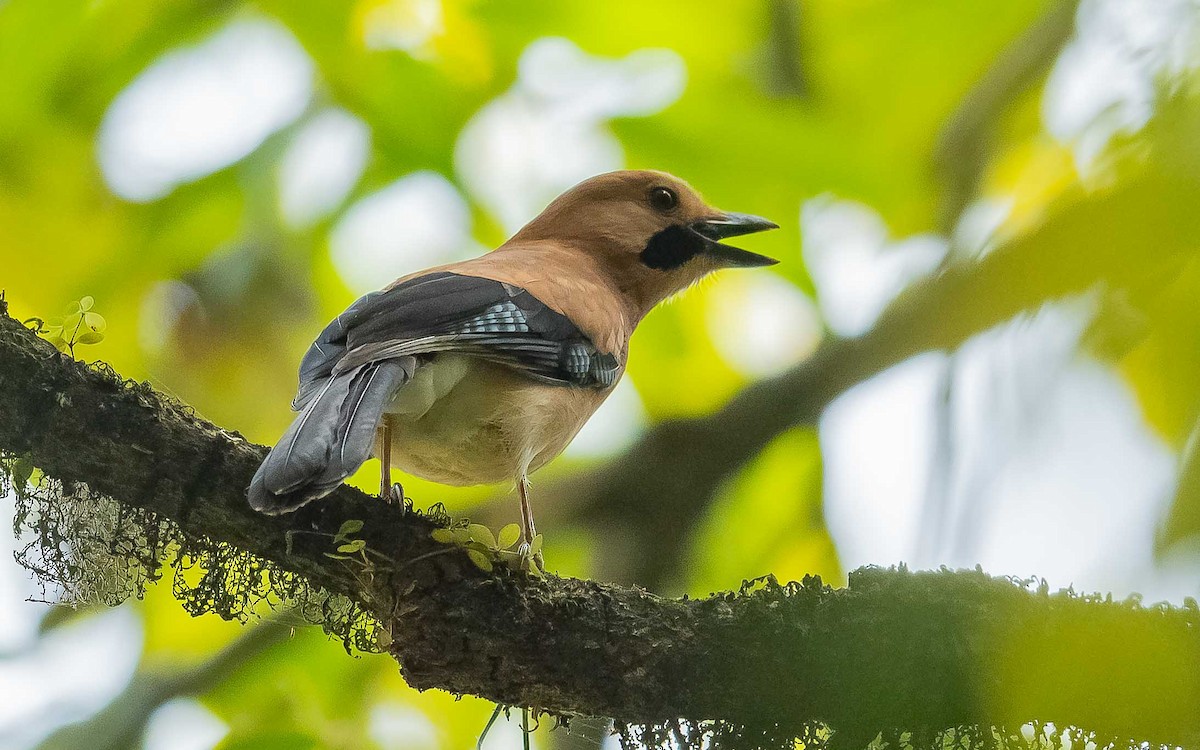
x=649, y=231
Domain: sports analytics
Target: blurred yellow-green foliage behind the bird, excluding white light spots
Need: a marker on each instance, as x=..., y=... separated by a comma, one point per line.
x=880, y=81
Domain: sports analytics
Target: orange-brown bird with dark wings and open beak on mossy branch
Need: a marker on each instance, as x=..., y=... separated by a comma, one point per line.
x=483, y=371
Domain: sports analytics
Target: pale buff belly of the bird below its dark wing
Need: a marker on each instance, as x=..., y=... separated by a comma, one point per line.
x=466, y=422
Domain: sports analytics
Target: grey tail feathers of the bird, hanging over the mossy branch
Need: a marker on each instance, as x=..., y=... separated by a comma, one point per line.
x=331, y=439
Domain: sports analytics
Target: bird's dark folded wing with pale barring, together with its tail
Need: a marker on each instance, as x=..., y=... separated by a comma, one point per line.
x=356, y=367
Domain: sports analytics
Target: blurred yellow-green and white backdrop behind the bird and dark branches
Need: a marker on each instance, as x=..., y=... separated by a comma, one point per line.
x=225, y=177
